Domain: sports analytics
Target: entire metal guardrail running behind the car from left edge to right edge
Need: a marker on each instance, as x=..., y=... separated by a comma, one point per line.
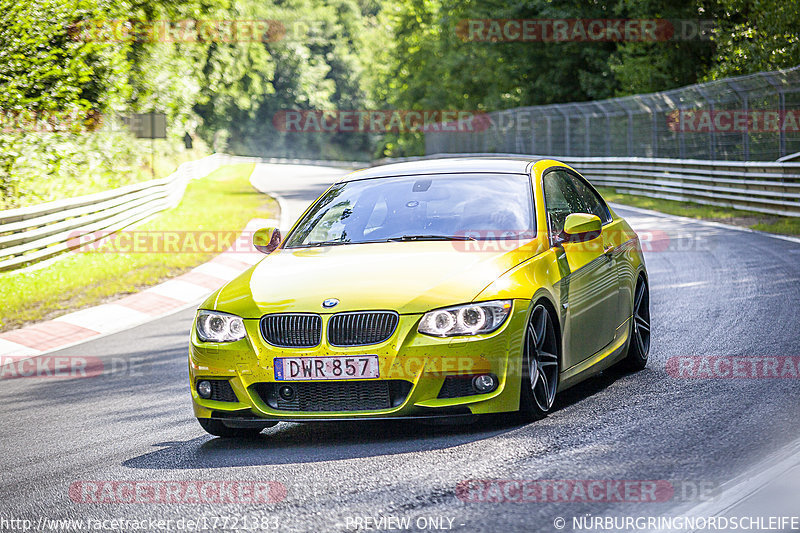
x=35, y=233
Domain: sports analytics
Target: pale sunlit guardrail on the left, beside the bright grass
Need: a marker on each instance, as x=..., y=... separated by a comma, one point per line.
x=34, y=233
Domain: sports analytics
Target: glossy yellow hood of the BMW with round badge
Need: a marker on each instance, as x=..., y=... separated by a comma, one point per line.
x=408, y=277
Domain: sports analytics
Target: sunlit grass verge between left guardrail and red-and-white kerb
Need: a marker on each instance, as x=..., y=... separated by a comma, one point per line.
x=222, y=201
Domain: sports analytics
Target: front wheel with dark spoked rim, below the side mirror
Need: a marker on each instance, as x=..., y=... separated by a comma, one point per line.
x=540, y=364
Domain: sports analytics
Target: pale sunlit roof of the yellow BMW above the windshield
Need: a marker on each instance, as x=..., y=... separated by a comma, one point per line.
x=455, y=165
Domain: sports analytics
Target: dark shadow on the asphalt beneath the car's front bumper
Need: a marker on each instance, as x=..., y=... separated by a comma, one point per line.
x=293, y=443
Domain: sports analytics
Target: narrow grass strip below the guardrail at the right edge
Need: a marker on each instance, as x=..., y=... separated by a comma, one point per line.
x=747, y=219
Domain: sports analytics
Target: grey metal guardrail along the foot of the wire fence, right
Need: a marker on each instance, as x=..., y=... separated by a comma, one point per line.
x=763, y=187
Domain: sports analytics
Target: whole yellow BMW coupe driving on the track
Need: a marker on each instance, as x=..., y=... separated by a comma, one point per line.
x=426, y=289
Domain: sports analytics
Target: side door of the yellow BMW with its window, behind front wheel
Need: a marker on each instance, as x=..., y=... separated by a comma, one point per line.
x=590, y=288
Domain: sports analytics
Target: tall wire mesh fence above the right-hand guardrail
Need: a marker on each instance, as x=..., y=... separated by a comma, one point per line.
x=746, y=118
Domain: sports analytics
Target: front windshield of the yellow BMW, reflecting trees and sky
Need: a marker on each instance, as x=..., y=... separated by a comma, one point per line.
x=429, y=207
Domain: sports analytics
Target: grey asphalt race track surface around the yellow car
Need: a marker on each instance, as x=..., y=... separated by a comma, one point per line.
x=714, y=292
